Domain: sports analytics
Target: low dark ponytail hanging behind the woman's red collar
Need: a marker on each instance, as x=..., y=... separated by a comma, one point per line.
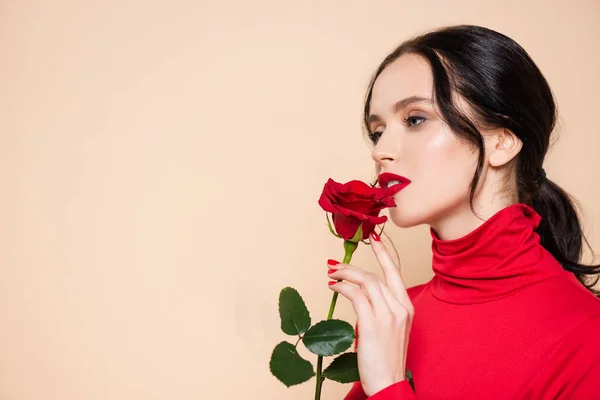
x=561, y=233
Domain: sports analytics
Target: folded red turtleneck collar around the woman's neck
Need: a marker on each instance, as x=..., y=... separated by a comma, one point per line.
x=501, y=256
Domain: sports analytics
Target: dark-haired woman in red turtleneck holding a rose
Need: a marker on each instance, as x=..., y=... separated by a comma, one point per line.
x=465, y=116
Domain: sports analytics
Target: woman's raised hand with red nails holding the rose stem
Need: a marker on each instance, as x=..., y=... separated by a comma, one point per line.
x=384, y=313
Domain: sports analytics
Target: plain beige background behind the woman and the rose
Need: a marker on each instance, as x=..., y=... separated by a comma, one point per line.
x=160, y=165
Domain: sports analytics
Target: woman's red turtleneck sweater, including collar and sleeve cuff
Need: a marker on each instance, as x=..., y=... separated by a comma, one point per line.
x=500, y=319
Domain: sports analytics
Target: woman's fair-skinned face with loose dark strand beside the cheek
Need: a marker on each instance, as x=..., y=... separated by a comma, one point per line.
x=414, y=142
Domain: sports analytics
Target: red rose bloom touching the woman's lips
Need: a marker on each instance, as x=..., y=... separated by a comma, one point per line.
x=355, y=203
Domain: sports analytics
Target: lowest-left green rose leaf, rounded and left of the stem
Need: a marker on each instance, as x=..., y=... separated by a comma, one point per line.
x=287, y=365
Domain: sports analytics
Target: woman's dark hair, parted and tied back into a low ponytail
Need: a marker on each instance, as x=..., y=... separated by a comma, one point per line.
x=504, y=89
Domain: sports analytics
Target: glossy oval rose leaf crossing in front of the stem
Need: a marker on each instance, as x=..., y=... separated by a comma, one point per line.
x=327, y=338
